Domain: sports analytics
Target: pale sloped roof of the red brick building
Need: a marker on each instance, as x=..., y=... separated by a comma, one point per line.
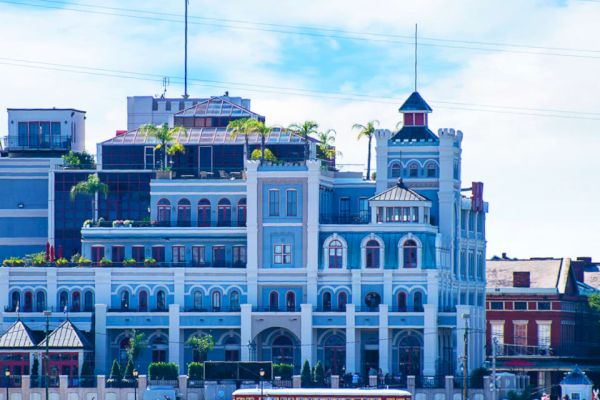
x=543, y=273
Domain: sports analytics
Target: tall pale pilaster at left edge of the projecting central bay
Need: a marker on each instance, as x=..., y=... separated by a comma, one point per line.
x=252, y=223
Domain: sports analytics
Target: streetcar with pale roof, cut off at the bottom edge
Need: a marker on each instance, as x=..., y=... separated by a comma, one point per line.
x=321, y=394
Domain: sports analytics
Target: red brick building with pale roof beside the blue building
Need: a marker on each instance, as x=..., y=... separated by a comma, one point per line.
x=538, y=316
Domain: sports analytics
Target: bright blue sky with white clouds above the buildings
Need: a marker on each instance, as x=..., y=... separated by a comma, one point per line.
x=519, y=78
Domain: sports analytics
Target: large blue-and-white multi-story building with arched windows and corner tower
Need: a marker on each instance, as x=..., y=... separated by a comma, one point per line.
x=285, y=261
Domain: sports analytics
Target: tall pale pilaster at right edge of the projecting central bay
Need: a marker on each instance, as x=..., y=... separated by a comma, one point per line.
x=312, y=230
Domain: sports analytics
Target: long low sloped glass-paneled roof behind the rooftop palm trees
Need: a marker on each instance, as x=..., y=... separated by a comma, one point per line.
x=208, y=136
